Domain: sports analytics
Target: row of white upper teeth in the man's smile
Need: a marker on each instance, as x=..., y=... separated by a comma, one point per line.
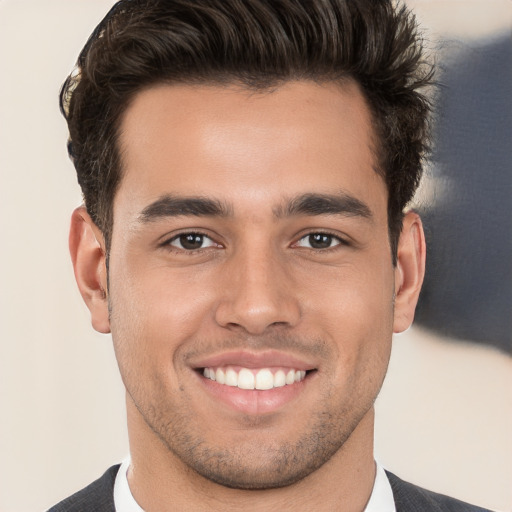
x=252, y=379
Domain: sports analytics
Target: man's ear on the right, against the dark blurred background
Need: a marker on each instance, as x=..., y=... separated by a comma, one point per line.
x=409, y=272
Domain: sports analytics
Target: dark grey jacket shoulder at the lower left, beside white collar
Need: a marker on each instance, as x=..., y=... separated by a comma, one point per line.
x=96, y=497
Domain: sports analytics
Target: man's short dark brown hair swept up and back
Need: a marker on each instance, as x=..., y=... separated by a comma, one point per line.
x=259, y=44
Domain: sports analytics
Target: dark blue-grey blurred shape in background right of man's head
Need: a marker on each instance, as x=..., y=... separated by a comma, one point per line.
x=468, y=288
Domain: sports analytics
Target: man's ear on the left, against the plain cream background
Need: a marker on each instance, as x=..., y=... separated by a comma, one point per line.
x=87, y=248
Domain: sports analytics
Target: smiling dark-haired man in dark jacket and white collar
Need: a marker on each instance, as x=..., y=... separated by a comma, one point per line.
x=245, y=168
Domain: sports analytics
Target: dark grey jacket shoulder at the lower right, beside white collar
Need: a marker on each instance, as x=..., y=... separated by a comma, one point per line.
x=409, y=497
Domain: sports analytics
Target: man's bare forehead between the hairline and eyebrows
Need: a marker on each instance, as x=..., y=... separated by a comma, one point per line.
x=240, y=145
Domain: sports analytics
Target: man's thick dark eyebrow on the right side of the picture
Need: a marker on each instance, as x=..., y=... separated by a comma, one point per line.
x=325, y=204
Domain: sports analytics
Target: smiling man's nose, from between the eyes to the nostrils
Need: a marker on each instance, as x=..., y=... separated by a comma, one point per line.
x=257, y=293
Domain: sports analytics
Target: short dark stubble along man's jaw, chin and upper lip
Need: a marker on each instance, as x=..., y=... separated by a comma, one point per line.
x=258, y=461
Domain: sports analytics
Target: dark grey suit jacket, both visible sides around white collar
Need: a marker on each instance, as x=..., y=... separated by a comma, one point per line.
x=99, y=497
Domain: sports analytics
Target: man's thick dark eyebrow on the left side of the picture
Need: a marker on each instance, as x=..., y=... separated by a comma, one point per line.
x=172, y=206
